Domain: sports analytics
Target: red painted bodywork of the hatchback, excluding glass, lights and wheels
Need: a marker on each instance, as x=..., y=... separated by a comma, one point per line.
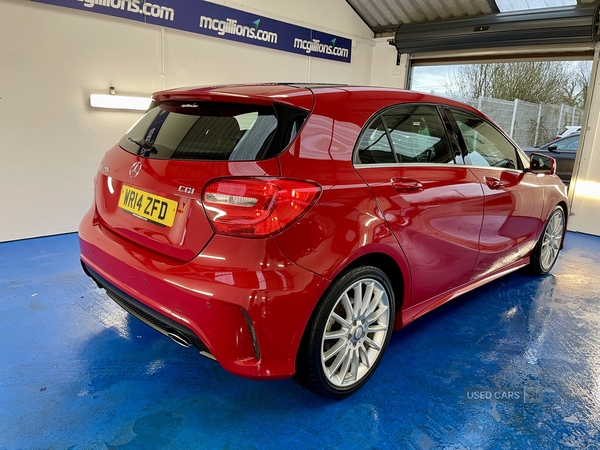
x=445, y=229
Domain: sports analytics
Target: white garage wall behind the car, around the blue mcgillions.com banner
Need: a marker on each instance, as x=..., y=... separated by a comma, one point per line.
x=53, y=58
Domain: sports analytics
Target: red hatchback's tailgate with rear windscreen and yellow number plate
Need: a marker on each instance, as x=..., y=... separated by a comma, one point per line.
x=149, y=186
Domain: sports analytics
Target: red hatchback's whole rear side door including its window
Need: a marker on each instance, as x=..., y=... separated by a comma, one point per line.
x=433, y=205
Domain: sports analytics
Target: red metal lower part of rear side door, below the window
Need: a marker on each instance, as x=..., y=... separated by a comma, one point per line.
x=437, y=226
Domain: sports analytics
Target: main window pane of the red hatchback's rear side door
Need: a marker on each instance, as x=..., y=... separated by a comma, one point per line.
x=417, y=134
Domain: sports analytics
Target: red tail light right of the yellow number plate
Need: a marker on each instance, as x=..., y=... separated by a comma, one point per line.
x=256, y=207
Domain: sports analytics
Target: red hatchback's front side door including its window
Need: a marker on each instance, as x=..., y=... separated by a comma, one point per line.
x=513, y=203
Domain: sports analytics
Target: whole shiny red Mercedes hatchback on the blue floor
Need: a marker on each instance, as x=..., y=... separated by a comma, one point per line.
x=286, y=230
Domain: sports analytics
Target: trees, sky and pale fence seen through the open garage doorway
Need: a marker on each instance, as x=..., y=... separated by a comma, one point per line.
x=532, y=101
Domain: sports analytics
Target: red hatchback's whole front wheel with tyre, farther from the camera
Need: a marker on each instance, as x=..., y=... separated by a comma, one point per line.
x=546, y=251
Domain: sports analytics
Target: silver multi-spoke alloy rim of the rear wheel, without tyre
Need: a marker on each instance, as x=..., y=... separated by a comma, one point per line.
x=355, y=333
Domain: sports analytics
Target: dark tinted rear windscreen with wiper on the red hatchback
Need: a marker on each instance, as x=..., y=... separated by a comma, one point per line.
x=214, y=131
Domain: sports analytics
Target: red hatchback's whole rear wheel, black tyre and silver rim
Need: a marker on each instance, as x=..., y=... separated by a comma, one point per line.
x=348, y=334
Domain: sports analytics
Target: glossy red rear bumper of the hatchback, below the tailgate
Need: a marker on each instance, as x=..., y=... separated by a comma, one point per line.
x=241, y=301
